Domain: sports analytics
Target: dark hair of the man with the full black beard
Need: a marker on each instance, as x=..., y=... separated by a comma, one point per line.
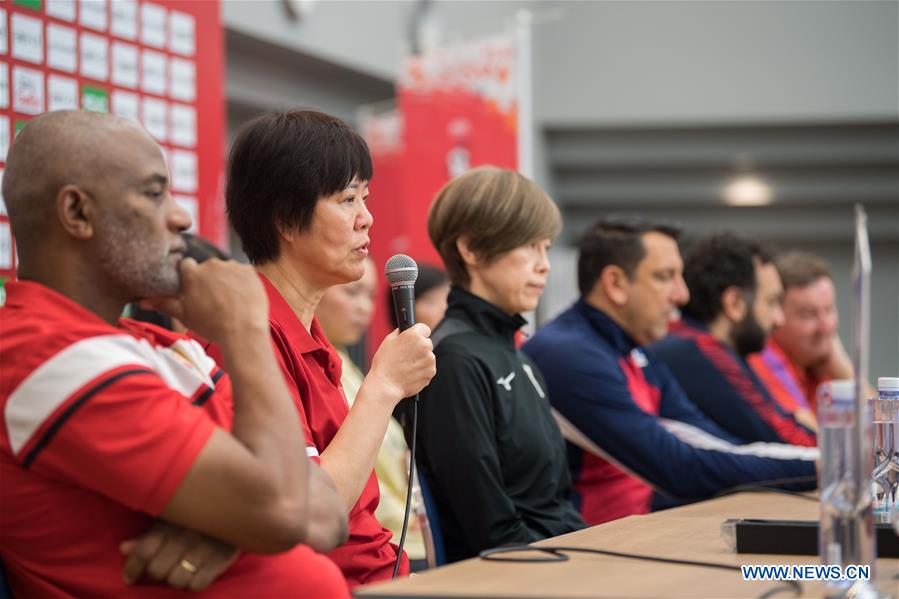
x=715, y=263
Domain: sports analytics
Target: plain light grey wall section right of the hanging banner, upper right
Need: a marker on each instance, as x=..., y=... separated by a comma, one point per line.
x=689, y=61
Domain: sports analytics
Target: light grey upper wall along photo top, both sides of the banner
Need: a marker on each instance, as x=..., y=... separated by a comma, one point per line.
x=637, y=62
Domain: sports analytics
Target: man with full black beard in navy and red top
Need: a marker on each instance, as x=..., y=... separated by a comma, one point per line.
x=735, y=295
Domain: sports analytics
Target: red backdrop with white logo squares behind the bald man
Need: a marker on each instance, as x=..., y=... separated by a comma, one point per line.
x=159, y=63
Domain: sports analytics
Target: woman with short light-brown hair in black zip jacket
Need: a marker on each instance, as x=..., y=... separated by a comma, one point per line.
x=488, y=446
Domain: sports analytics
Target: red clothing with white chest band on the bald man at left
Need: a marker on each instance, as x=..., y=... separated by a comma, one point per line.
x=99, y=426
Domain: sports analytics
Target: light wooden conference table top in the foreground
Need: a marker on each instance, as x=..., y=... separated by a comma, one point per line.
x=692, y=532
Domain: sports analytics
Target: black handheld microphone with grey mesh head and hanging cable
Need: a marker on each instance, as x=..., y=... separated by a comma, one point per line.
x=401, y=272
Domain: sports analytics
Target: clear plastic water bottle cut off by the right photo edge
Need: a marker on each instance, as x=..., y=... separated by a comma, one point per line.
x=885, y=478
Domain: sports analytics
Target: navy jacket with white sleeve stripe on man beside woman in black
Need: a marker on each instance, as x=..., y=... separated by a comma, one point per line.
x=582, y=355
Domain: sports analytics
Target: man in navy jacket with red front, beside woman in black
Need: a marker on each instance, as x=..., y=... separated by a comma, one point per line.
x=629, y=426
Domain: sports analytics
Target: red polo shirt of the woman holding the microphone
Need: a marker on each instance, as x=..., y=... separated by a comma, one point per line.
x=312, y=369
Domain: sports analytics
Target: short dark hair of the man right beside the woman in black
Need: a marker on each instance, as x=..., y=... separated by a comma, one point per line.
x=615, y=240
